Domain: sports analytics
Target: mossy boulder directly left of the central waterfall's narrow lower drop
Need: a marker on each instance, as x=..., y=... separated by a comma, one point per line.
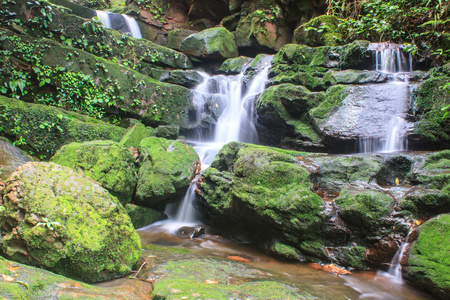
x=166, y=168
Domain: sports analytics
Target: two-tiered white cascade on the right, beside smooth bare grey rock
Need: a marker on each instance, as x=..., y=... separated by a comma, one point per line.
x=389, y=58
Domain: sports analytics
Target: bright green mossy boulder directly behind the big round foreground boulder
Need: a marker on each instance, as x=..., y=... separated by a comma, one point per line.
x=107, y=162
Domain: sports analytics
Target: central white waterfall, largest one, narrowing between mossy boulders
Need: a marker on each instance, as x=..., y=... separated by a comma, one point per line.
x=236, y=123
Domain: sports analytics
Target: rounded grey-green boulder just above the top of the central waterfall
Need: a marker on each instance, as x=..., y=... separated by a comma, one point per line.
x=214, y=43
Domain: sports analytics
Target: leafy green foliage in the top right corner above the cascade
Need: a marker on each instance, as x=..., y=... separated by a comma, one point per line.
x=423, y=22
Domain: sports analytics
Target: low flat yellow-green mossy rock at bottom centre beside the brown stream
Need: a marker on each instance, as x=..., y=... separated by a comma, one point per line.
x=232, y=280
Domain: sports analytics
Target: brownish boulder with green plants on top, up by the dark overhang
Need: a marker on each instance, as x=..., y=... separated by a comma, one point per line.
x=262, y=29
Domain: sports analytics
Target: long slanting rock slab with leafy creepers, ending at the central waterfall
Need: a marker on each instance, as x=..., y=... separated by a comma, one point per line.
x=78, y=80
